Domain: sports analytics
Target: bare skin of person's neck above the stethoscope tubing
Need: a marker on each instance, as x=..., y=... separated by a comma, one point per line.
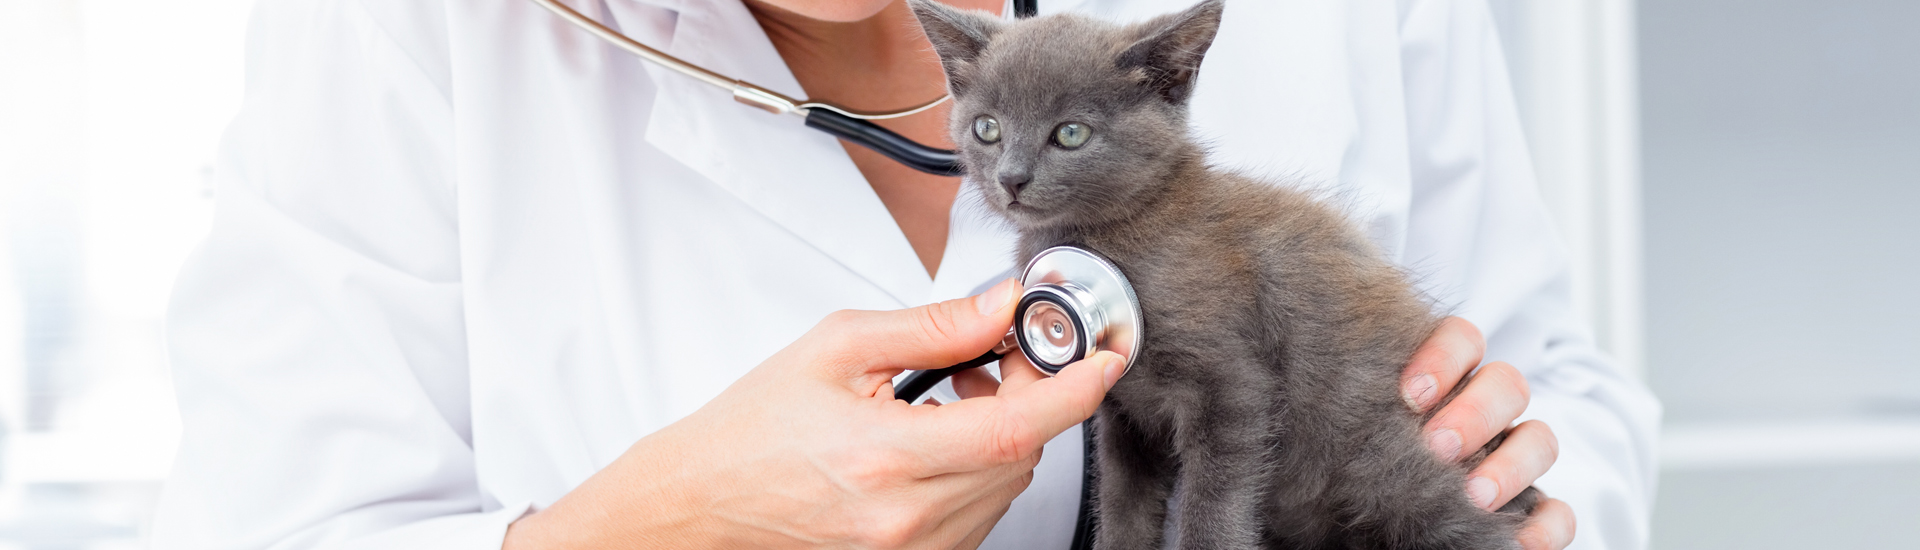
x=876, y=64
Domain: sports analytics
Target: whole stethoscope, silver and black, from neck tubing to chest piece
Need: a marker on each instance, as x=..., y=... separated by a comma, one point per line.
x=1074, y=303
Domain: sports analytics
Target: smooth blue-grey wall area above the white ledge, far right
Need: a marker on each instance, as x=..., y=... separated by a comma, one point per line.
x=1785, y=207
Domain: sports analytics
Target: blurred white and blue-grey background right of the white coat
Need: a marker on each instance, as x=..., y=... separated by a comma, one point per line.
x=1781, y=203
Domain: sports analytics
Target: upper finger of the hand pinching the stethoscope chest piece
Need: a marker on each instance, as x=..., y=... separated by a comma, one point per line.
x=928, y=337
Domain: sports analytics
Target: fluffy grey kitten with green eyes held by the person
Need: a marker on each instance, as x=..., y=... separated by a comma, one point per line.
x=1268, y=389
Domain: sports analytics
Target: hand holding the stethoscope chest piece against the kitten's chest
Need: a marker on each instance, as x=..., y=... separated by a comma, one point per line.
x=811, y=449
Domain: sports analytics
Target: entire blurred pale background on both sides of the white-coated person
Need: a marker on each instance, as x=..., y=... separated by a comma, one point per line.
x=1739, y=180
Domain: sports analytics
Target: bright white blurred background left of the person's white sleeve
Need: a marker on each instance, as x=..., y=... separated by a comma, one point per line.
x=110, y=112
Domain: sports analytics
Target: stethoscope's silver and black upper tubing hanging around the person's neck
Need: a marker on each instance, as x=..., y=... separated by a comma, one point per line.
x=840, y=122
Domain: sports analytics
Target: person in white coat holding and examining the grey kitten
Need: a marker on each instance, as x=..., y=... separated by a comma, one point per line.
x=483, y=282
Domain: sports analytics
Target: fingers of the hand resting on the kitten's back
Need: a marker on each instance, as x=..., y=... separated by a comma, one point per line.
x=1491, y=401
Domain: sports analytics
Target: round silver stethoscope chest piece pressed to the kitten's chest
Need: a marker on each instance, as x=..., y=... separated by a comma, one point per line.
x=1074, y=307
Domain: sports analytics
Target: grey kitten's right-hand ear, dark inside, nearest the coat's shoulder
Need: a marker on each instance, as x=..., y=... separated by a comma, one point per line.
x=1170, y=49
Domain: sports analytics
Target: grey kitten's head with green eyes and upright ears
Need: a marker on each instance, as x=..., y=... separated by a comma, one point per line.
x=1068, y=120
